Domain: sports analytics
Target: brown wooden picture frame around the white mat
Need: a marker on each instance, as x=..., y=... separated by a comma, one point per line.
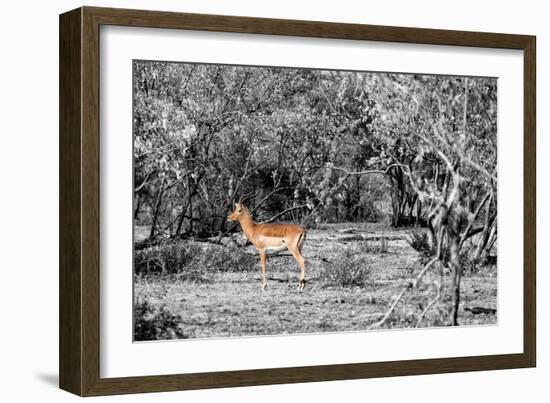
x=79, y=281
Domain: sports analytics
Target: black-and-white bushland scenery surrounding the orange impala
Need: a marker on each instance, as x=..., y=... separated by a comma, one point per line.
x=394, y=176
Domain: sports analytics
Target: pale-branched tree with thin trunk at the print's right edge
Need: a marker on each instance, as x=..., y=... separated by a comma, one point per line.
x=453, y=123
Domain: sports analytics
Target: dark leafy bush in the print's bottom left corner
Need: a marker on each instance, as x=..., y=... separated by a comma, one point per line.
x=156, y=324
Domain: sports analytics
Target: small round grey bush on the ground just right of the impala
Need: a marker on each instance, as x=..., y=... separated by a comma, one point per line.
x=349, y=270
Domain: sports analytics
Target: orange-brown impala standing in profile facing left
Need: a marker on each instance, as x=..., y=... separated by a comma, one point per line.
x=271, y=236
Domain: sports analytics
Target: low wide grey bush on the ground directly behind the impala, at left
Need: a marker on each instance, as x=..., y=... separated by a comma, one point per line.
x=191, y=260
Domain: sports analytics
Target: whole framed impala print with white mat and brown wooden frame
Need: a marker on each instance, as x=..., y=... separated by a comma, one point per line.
x=249, y=201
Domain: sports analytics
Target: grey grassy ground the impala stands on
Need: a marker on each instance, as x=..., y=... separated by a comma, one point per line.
x=232, y=304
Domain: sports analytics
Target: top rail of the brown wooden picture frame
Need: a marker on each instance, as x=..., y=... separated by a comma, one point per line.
x=317, y=29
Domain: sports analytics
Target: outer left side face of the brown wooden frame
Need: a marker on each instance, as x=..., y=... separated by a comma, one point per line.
x=70, y=271
